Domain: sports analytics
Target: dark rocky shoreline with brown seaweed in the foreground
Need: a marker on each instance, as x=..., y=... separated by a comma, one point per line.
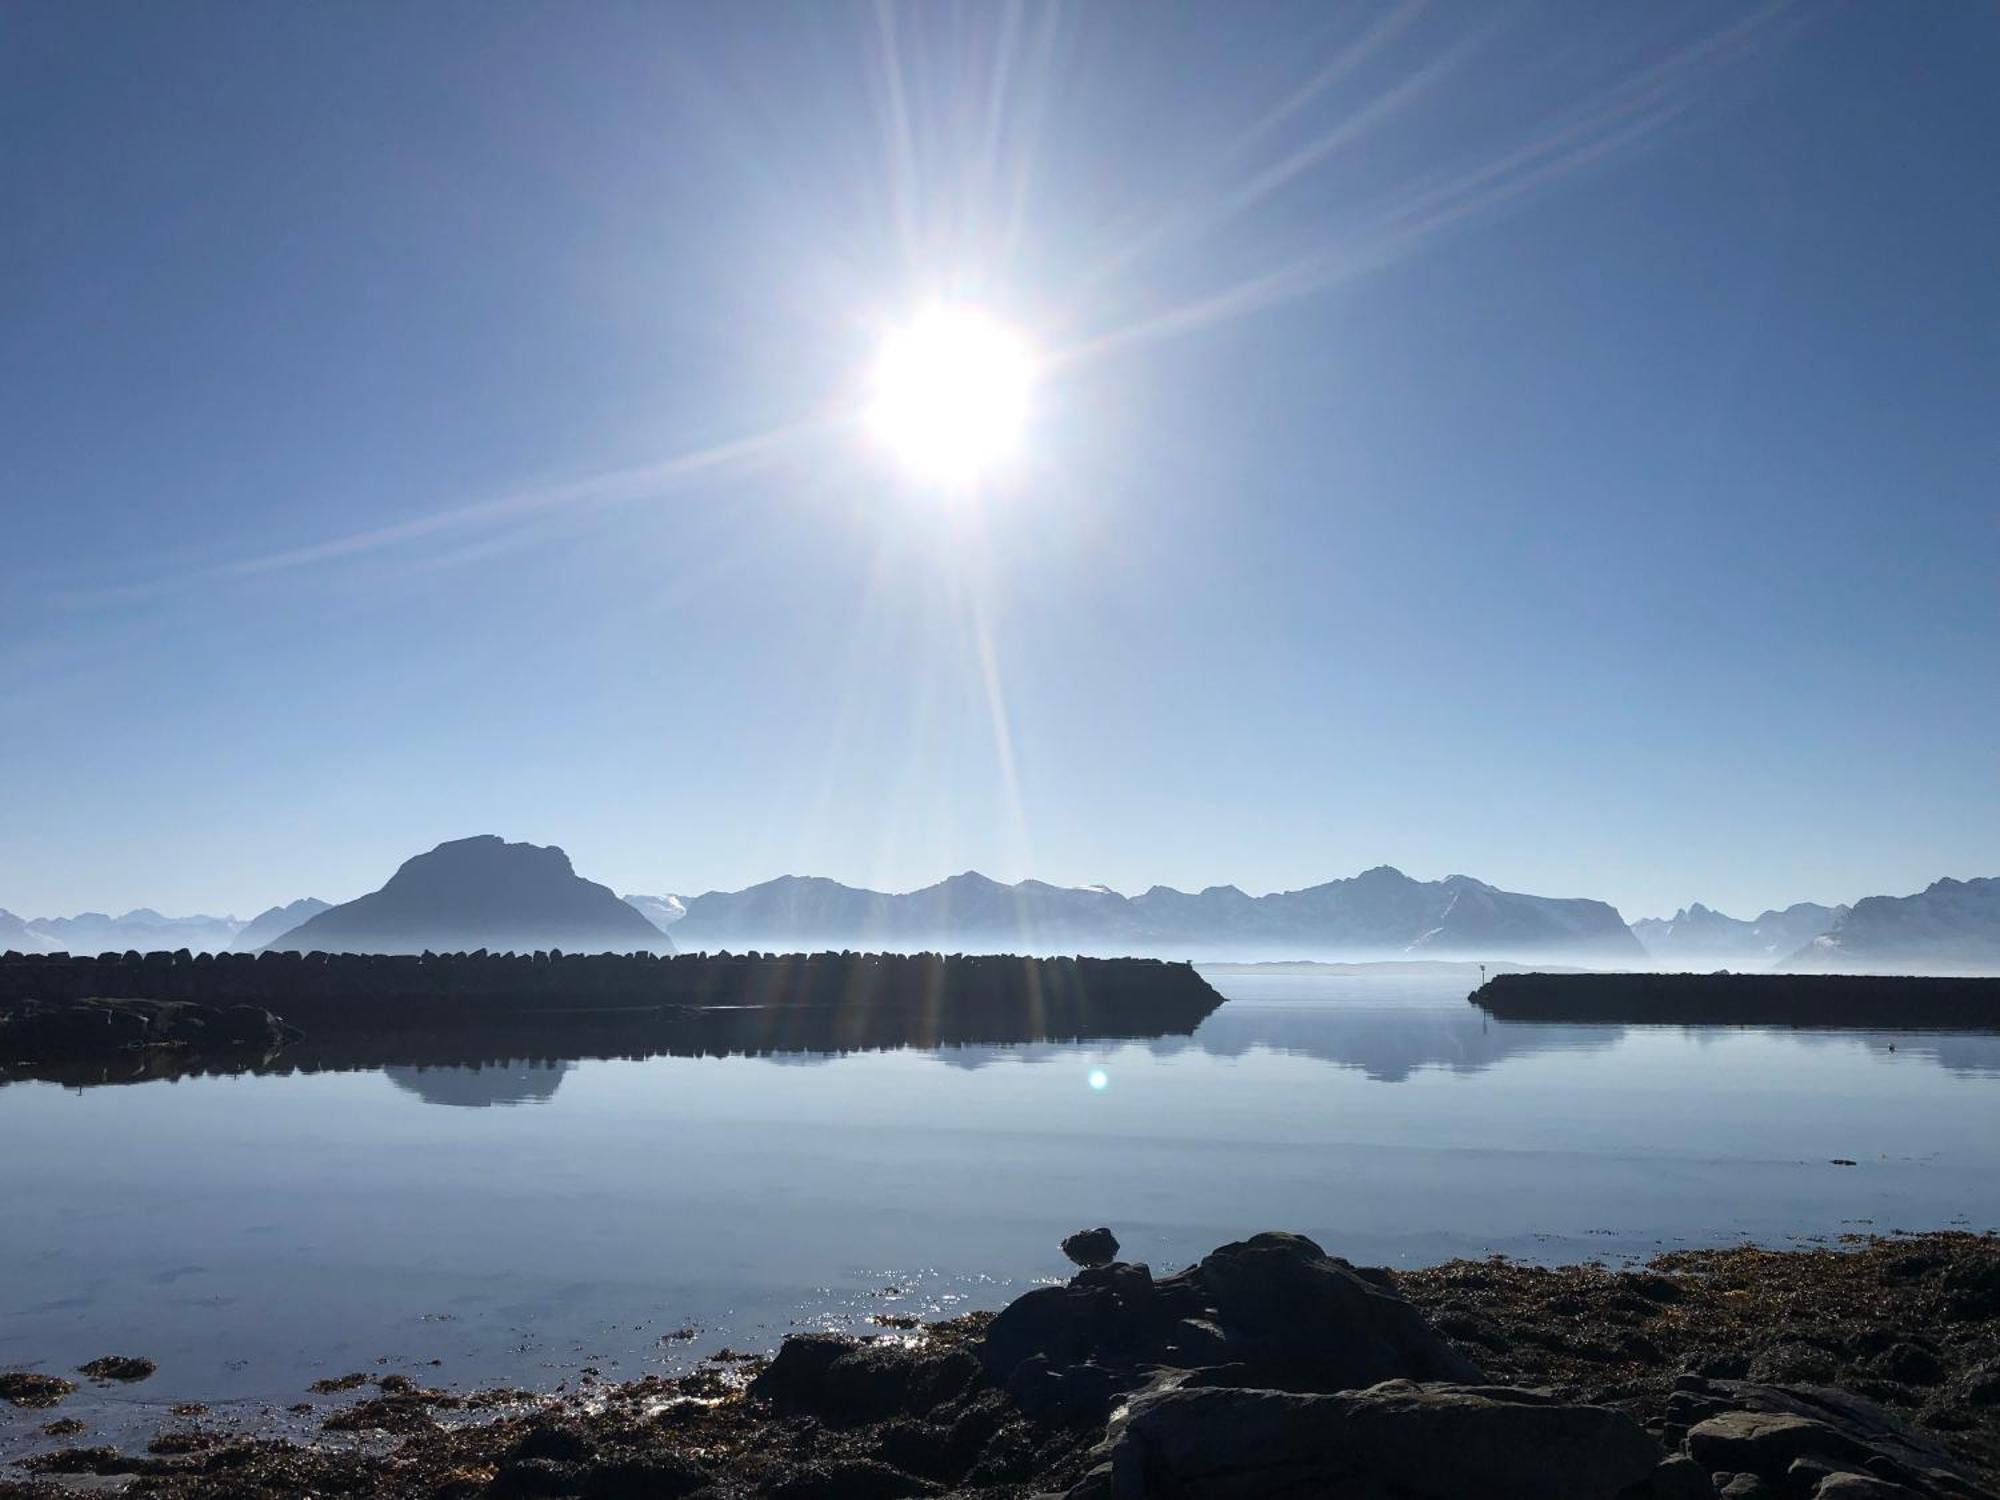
x=1269, y=1369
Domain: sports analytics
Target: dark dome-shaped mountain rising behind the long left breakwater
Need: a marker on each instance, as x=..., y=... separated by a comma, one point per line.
x=481, y=893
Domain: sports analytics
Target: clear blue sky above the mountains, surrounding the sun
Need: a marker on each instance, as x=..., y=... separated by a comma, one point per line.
x=1553, y=445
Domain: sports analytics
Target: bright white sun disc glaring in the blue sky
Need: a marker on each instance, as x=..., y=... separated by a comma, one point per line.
x=949, y=395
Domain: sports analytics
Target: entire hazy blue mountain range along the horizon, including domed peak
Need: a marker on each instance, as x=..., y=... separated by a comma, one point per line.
x=485, y=893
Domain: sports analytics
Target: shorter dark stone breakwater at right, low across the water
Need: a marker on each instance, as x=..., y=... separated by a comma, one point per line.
x=1745, y=999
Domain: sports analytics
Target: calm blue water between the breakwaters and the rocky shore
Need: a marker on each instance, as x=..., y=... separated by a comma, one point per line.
x=521, y=1223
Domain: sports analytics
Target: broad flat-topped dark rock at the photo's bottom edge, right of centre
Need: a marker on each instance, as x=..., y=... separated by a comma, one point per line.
x=1393, y=1441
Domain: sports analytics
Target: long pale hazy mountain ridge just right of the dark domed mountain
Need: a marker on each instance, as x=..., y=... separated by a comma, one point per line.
x=1377, y=915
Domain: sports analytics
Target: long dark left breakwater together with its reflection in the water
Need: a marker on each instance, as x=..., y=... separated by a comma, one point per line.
x=371, y=1011
